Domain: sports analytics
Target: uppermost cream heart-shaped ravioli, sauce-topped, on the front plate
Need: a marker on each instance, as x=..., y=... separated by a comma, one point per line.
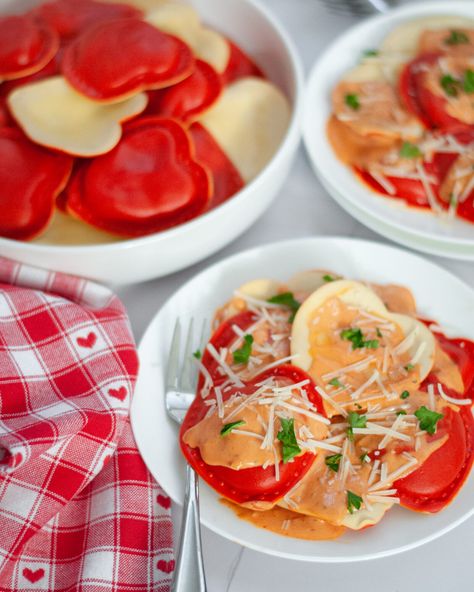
x=310, y=337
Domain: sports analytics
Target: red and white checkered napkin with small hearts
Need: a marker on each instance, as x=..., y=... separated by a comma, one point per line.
x=78, y=508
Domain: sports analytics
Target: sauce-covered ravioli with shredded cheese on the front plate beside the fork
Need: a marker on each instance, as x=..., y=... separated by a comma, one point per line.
x=324, y=401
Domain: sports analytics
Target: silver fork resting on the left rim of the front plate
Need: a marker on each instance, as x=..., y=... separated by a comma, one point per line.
x=181, y=379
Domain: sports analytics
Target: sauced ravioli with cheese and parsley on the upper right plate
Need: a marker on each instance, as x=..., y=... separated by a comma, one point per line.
x=403, y=118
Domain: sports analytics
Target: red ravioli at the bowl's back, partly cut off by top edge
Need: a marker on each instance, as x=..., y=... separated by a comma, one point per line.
x=71, y=18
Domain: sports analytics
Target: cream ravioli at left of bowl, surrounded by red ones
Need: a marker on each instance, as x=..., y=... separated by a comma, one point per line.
x=44, y=111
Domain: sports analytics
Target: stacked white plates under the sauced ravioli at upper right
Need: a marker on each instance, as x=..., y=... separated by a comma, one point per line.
x=445, y=236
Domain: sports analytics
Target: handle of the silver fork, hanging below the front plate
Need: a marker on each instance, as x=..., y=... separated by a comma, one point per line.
x=189, y=573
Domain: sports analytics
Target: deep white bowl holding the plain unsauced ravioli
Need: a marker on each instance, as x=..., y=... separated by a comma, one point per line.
x=135, y=260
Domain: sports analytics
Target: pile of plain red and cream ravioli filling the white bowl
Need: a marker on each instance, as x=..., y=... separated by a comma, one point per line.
x=123, y=119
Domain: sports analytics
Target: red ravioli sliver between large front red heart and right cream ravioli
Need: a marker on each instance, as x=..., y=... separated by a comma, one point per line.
x=226, y=178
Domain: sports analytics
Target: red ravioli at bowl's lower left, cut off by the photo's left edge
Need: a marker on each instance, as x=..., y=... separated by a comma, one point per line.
x=30, y=179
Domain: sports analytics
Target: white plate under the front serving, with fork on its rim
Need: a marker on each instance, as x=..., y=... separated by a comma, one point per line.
x=440, y=296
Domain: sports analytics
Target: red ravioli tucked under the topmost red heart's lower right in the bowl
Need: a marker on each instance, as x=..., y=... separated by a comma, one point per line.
x=190, y=97
